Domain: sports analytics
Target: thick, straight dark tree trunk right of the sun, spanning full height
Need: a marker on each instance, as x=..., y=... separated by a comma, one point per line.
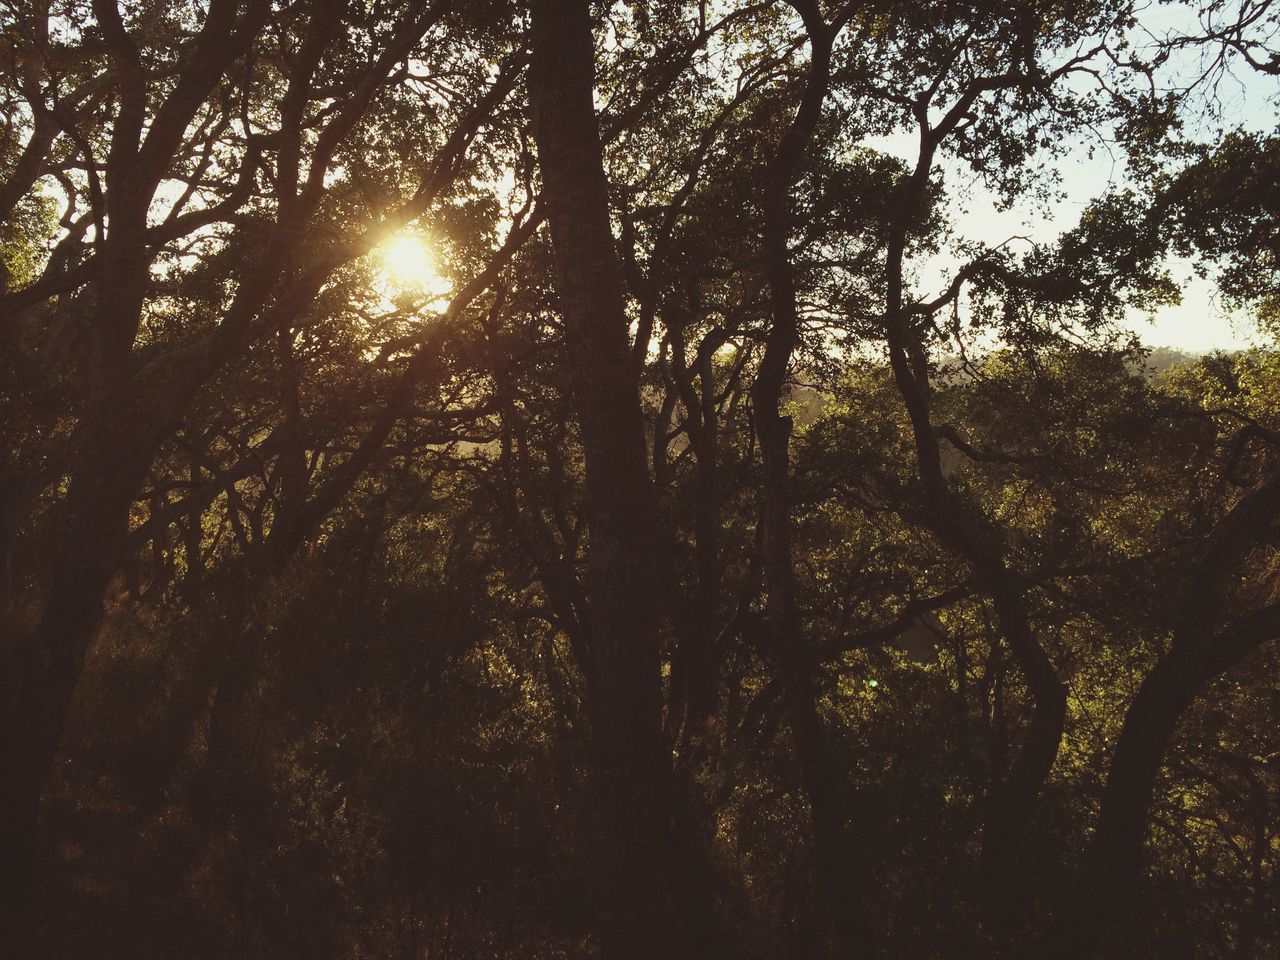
x=630, y=757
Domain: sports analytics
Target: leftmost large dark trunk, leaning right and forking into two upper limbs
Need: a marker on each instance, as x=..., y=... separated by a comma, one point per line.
x=116, y=436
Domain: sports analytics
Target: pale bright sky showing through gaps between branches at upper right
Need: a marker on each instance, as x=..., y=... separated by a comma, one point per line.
x=1091, y=168
